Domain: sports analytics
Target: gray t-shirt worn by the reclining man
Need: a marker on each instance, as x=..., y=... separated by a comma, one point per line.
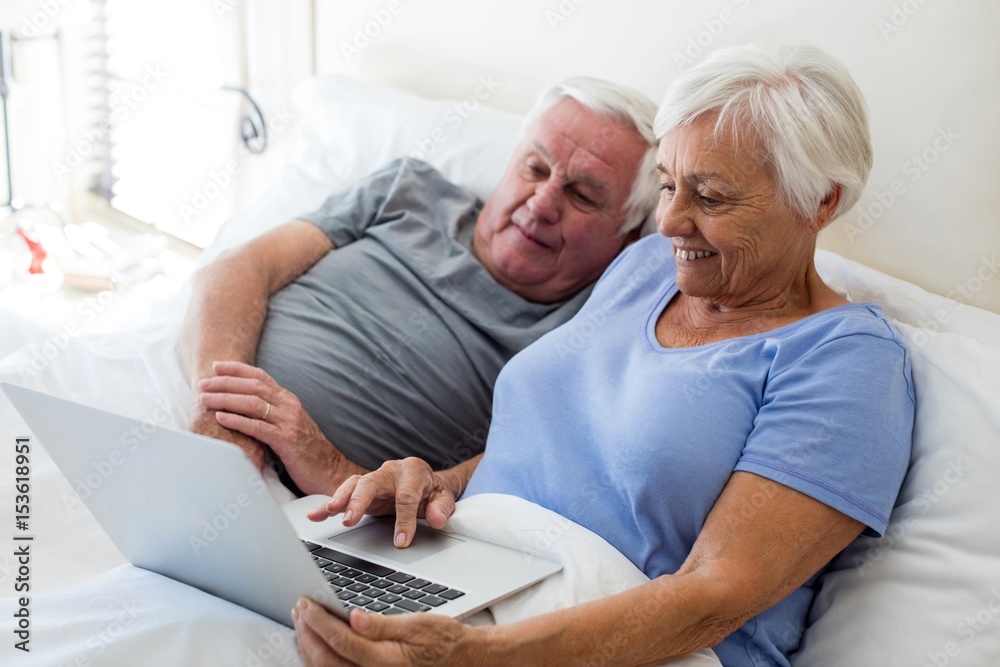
x=393, y=341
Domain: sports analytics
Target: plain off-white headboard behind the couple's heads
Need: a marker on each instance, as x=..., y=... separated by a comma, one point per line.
x=930, y=70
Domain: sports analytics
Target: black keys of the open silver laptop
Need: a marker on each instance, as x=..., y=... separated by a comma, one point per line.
x=365, y=585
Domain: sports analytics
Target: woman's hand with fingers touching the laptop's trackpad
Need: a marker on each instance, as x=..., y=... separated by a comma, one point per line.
x=407, y=488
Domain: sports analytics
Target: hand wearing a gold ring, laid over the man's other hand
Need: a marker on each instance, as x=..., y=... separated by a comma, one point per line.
x=249, y=401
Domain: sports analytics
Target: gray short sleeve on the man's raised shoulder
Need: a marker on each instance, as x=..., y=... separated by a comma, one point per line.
x=345, y=215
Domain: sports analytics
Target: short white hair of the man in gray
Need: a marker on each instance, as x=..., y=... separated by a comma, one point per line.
x=621, y=104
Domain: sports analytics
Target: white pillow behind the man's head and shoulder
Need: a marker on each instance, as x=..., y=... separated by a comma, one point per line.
x=348, y=128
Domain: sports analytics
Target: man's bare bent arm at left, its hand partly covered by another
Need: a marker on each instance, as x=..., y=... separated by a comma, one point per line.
x=228, y=306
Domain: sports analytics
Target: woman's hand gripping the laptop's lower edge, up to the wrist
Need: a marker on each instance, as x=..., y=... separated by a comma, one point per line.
x=372, y=639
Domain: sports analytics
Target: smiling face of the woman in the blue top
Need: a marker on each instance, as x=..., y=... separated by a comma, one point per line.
x=735, y=241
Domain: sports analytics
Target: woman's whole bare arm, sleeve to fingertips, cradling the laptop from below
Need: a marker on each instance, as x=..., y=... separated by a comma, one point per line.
x=759, y=543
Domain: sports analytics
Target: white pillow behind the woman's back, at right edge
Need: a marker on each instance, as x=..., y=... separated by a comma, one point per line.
x=928, y=593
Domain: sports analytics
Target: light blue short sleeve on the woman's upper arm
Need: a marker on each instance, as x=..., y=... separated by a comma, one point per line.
x=836, y=424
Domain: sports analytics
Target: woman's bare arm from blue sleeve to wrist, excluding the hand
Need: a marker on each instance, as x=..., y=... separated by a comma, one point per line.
x=760, y=542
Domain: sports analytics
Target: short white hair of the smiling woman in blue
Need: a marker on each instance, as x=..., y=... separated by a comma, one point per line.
x=802, y=105
